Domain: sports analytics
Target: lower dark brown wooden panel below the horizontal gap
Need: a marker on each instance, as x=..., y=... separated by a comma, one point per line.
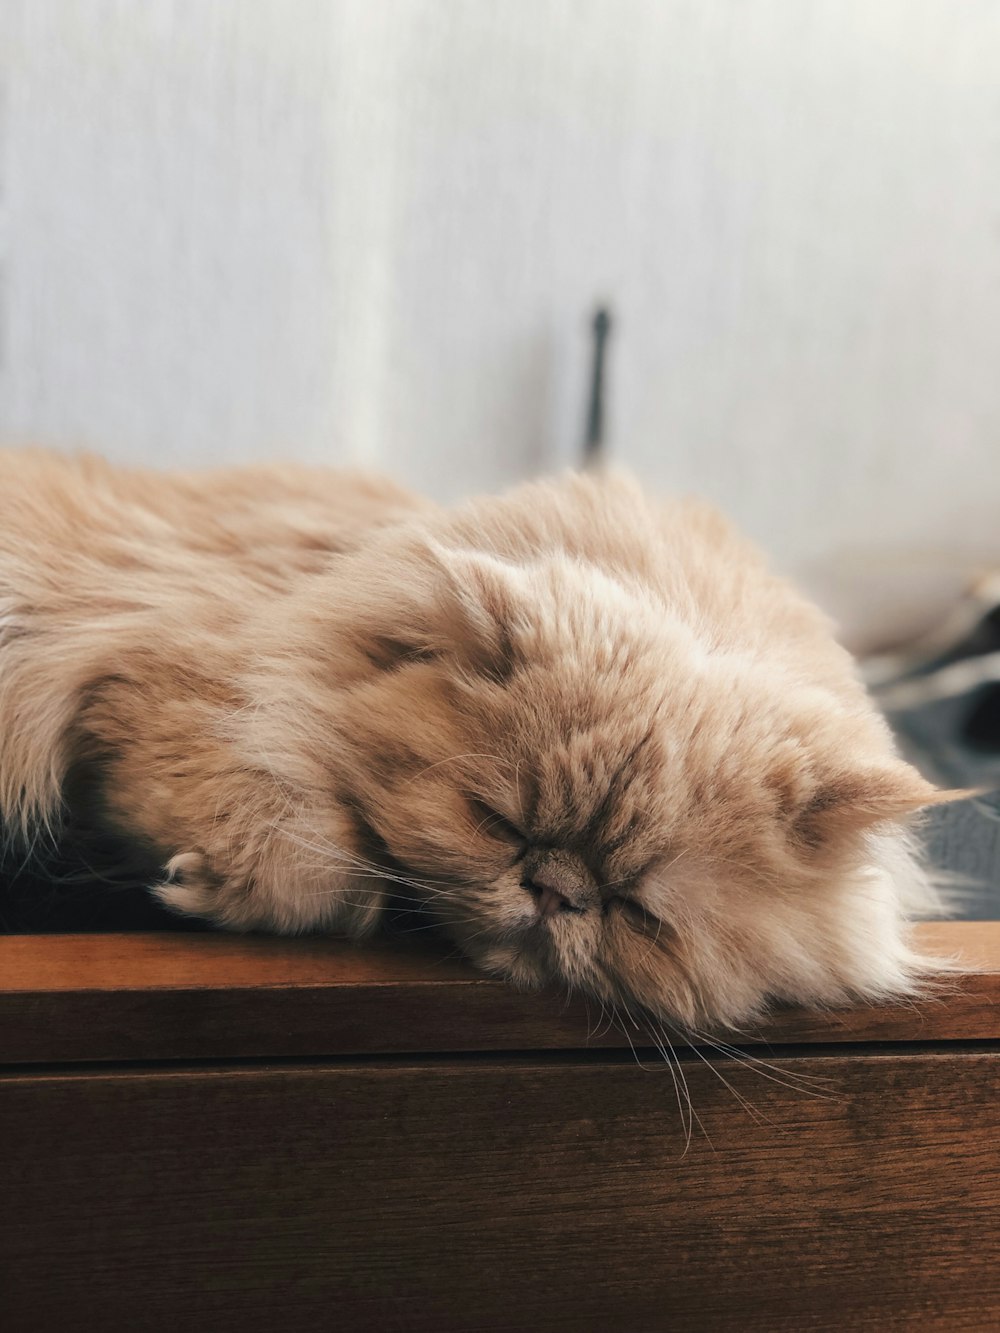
x=505, y=1196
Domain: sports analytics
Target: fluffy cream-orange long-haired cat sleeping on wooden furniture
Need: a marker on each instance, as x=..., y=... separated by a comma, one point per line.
x=587, y=732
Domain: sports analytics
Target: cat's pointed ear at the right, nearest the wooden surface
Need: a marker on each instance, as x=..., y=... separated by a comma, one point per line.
x=853, y=800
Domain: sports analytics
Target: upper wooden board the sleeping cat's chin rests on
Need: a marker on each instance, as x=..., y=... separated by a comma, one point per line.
x=214, y=996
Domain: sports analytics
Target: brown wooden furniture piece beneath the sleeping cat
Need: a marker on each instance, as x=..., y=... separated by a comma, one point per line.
x=210, y=1132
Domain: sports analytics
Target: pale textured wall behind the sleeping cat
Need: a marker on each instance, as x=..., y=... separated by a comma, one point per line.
x=375, y=231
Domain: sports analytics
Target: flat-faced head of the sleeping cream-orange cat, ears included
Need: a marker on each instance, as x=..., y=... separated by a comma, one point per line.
x=591, y=799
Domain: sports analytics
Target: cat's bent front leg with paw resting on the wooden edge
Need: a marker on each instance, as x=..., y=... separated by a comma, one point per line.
x=250, y=836
